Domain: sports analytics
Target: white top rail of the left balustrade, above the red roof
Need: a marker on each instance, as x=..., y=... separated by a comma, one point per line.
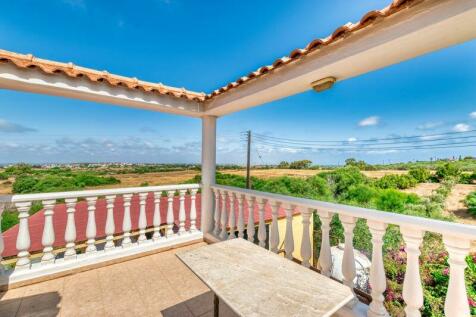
x=99, y=192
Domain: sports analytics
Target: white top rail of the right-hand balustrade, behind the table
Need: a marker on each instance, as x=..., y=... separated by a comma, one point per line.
x=443, y=227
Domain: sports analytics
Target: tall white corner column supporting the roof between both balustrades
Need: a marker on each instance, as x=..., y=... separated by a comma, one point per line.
x=208, y=171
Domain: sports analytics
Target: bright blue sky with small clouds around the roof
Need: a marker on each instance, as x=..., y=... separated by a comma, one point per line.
x=202, y=45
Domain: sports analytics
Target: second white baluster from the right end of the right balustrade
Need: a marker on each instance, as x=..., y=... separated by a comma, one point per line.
x=412, y=288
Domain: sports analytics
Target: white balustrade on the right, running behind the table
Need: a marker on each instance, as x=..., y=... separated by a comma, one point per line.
x=457, y=239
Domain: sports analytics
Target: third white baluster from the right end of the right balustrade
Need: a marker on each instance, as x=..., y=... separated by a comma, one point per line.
x=377, y=279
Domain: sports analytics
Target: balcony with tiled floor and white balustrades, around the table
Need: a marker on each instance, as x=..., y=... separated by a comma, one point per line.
x=78, y=255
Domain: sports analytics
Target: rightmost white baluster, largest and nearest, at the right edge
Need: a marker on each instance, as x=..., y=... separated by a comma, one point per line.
x=456, y=303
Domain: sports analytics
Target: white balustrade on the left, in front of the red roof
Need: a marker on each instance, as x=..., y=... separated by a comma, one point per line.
x=116, y=243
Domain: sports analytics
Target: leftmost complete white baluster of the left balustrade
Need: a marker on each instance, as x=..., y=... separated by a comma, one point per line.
x=23, y=239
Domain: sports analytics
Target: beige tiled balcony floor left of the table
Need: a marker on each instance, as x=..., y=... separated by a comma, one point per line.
x=155, y=285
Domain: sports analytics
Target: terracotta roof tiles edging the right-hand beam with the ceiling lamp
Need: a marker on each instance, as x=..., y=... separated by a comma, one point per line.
x=341, y=32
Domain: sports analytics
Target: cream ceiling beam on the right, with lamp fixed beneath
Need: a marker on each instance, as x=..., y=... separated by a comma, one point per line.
x=417, y=30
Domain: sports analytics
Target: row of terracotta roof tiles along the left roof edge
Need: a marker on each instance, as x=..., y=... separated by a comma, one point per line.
x=71, y=70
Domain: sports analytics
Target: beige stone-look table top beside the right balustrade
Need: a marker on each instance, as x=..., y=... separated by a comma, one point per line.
x=253, y=281
